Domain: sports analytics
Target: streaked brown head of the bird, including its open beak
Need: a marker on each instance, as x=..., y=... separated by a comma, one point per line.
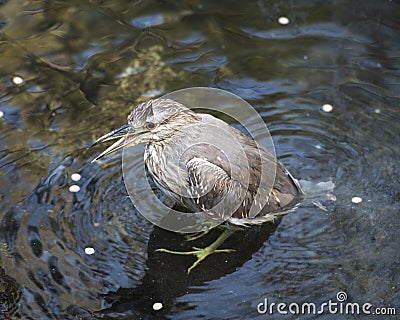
x=151, y=121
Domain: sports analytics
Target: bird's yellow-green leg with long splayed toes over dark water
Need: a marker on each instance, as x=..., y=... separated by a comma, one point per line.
x=202, y=253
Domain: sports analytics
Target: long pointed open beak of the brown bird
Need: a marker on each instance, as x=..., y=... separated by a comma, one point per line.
x=125, y=133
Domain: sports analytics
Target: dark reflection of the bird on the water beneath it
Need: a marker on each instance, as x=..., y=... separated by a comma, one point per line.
x=167, y=279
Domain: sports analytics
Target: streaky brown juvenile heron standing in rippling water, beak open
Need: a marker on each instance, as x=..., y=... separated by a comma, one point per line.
x=168, y=129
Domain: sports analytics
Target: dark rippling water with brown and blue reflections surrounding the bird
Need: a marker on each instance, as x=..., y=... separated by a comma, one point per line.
x=71, y=71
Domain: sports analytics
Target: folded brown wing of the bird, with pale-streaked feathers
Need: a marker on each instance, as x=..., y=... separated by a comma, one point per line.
x=236, y=178
